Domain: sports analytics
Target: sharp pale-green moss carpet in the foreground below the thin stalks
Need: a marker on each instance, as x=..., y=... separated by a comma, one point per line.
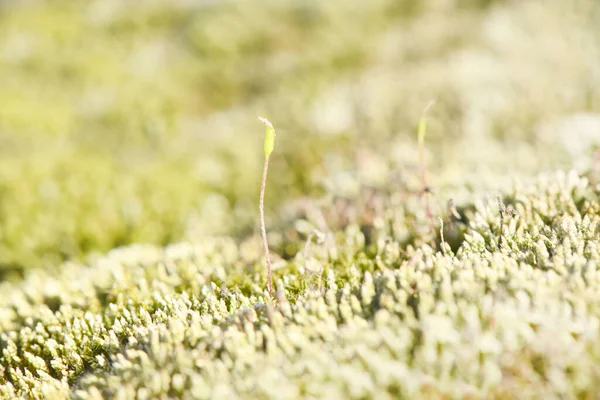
x=483, y=322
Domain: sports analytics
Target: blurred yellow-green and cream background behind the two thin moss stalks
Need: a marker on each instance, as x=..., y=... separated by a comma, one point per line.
x=125, y=122
